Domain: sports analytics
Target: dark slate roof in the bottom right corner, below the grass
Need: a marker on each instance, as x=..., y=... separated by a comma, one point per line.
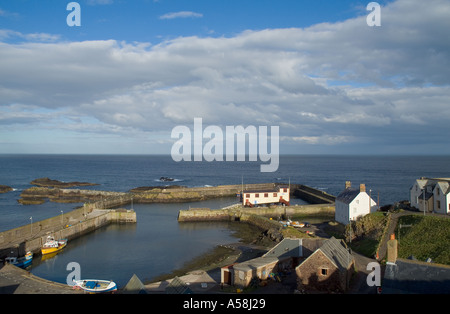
x=415, y=277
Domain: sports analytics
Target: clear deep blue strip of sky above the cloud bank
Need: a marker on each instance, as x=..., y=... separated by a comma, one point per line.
x=143, y=20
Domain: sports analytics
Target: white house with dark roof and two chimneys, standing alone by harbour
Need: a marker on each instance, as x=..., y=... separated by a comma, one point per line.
x=353, y=203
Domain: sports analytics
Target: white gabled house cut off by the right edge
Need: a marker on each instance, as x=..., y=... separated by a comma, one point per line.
x=431, y=195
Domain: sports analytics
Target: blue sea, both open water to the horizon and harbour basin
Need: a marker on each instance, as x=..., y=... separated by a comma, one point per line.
x=158, y=244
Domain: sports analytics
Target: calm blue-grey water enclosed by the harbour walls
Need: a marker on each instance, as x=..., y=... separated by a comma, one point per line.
x=156, y=245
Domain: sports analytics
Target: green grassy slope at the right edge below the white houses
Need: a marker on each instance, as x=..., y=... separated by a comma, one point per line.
x=428, y=237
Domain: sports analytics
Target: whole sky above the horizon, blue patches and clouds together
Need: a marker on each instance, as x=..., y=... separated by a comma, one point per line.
x=134, y=70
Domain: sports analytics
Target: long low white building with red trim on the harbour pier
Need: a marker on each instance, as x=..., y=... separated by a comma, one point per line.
x=259, y=197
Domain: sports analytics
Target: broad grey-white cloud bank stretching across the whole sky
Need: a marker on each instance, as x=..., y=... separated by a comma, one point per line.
x=328, y=85
